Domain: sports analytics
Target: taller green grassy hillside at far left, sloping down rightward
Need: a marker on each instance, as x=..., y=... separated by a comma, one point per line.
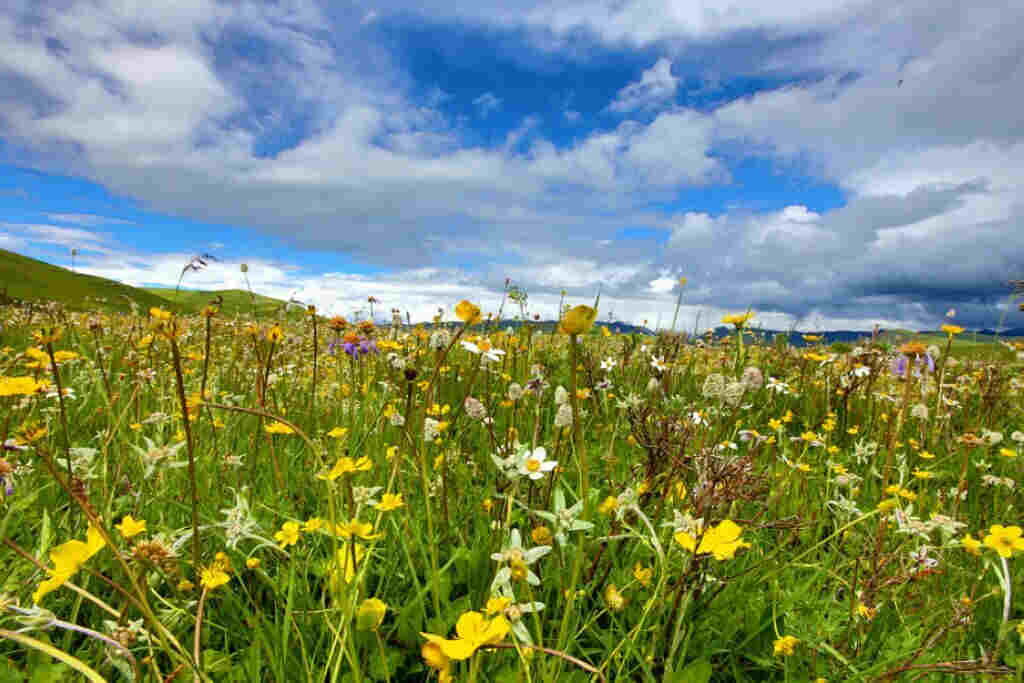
x=29, y=280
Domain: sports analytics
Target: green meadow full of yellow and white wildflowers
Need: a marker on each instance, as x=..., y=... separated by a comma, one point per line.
x=303, y=499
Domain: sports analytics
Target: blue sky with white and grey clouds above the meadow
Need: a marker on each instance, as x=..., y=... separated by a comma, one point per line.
x=826, y=164
